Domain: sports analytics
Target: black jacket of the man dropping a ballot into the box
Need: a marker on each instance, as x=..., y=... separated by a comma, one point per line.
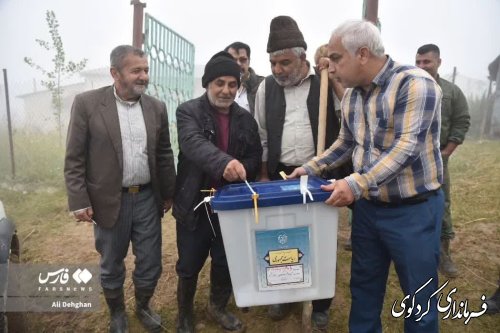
x=201, y=162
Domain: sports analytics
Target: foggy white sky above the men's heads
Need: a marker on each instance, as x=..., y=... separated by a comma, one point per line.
x=464, y=30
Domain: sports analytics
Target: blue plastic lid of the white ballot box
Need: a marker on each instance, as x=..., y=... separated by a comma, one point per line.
x=273, y=193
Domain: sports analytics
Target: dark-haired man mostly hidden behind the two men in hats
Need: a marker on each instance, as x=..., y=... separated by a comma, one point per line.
x=250, y=81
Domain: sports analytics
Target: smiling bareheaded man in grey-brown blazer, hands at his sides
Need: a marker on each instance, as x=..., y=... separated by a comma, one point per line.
x=120, y=175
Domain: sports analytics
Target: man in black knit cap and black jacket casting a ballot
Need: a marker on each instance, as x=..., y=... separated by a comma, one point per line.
x=218, y=144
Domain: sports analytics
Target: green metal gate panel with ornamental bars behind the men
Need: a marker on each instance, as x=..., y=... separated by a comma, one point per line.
x=171, y=68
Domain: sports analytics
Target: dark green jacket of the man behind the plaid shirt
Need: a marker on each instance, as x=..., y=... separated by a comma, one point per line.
x=455, y=118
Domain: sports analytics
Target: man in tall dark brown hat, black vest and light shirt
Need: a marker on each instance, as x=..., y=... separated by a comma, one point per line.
x=286, y=110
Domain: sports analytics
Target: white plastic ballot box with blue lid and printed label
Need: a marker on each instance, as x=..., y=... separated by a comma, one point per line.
x=281, y=247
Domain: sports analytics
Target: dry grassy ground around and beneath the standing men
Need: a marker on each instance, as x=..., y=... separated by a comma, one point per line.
x=49, y=235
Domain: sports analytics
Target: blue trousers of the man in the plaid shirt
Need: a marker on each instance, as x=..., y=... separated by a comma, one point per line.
x=409, y=235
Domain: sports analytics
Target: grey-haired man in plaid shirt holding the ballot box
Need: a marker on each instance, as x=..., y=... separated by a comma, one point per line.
x=390, y=129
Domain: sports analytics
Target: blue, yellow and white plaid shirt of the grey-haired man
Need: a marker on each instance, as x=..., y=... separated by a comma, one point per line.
x=391, y=133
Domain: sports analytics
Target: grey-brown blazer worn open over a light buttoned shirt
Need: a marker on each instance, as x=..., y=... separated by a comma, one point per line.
x=93, y=167
